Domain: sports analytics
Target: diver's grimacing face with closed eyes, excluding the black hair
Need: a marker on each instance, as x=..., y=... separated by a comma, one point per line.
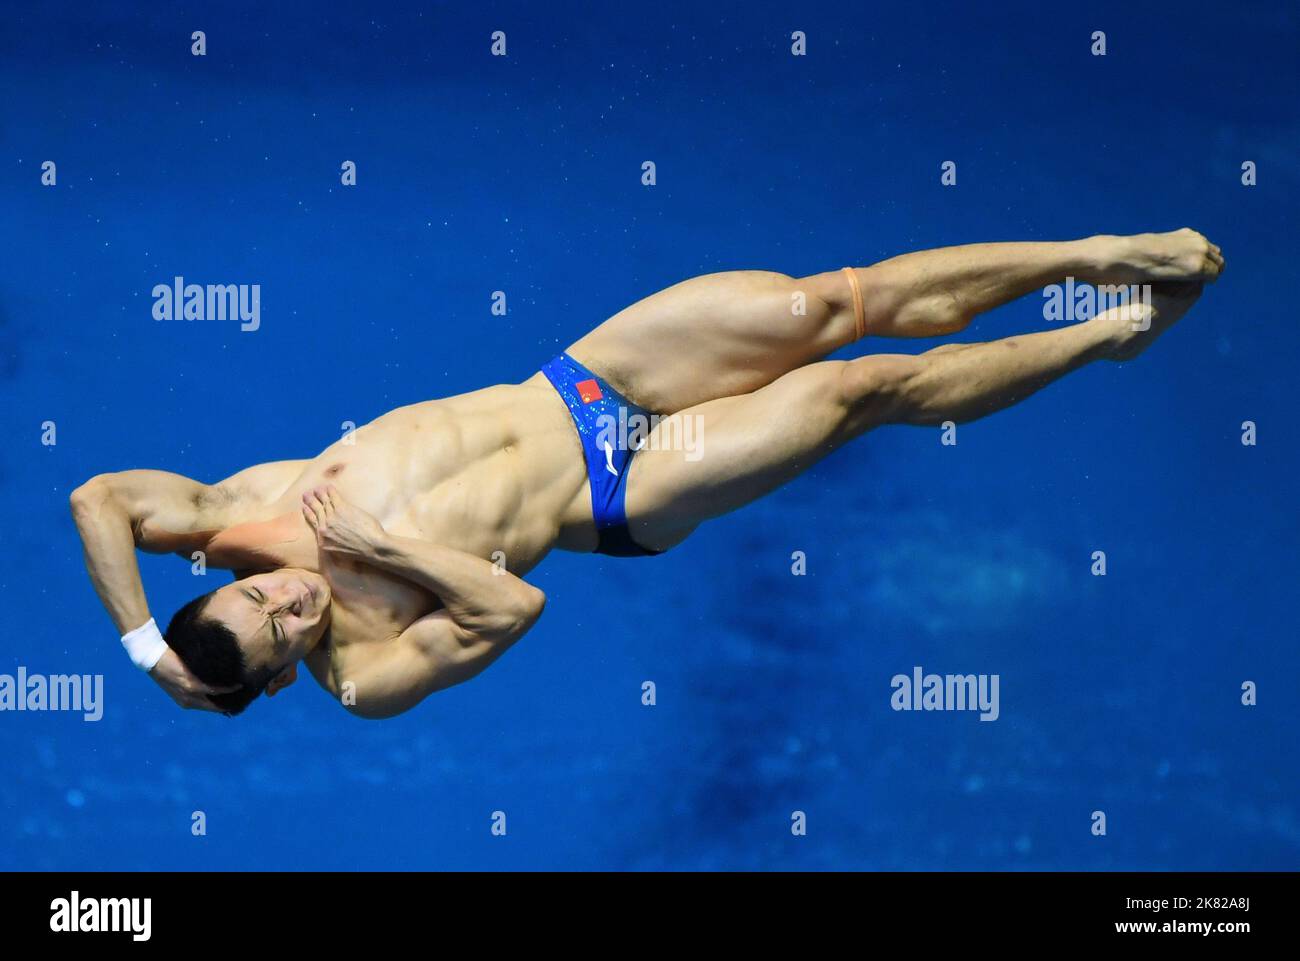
x=278, y=617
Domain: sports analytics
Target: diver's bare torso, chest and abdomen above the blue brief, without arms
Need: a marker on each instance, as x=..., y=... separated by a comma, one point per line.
x=497, y=474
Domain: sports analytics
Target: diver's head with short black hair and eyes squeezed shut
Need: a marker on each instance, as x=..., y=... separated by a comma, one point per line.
x=252, y=633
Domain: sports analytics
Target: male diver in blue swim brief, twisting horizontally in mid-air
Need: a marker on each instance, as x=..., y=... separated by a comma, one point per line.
x=393, y=561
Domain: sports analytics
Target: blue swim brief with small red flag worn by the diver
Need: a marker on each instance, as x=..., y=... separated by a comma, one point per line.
x=596, y=409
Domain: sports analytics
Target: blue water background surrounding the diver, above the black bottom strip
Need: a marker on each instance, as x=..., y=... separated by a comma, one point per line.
x=476, y=174
